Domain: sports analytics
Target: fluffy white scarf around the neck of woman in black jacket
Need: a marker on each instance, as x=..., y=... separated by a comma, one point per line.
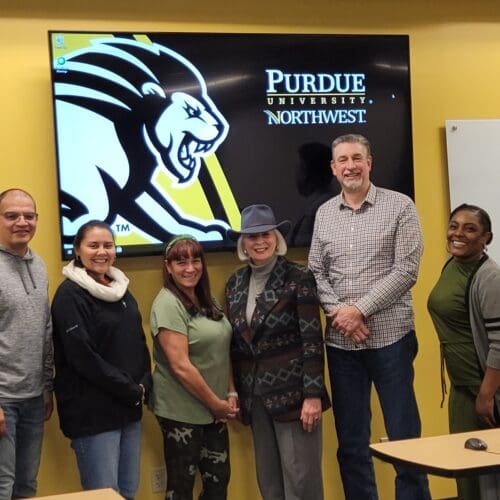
x=109, y=293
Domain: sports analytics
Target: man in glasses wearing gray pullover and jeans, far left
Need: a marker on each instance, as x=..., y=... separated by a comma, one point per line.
x=26, y=357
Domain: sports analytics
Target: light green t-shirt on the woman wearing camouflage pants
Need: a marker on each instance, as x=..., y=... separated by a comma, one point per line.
x=208, y=342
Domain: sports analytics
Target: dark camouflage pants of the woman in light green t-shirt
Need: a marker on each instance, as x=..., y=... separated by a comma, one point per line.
x=188, y=447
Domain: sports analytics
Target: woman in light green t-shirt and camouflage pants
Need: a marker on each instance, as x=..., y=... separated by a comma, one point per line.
x=193, y=392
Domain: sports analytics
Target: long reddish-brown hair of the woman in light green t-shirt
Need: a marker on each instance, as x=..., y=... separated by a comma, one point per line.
x=186, y=247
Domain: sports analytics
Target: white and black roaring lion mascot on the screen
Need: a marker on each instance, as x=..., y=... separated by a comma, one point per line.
x=125, y=111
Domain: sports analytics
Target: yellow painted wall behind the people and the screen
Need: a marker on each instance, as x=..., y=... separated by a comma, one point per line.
x=455, y=51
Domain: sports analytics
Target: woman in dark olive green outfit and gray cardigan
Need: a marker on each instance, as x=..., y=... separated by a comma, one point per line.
x=463, y=306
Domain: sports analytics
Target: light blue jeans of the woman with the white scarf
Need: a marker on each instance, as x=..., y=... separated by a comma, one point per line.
x=110, y=459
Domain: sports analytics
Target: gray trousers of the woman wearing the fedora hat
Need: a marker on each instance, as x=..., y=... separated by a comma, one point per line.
x=287, y=458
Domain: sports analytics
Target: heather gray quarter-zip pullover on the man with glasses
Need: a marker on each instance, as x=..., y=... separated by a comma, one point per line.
x=26, y=355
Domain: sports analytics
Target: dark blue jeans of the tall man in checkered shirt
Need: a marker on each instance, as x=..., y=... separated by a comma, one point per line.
x=352, y=373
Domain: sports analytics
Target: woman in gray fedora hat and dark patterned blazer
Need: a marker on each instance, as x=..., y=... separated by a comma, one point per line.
x=277, y=354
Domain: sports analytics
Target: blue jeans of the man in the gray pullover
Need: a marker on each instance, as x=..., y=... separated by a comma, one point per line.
x=21, y=447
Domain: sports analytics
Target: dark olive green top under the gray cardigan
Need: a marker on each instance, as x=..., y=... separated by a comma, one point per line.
x=447, y=307
